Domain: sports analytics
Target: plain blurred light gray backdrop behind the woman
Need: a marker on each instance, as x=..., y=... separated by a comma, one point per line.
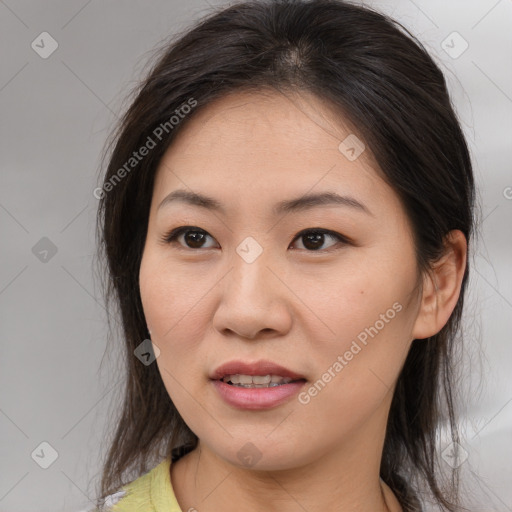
x=56, y=113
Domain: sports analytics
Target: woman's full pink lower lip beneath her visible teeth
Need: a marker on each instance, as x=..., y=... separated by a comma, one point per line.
x=257, y=398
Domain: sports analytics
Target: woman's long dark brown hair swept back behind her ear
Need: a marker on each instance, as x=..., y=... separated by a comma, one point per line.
x=382, y=79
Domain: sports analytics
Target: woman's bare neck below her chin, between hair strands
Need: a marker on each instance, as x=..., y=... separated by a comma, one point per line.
x=205, y=482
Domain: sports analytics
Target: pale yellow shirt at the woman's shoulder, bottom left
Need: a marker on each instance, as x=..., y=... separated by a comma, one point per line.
x=151, y=492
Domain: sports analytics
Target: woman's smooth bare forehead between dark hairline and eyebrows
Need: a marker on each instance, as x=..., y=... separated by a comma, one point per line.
x=263, y=147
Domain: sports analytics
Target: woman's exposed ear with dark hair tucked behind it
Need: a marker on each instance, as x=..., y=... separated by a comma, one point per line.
x=441, y=287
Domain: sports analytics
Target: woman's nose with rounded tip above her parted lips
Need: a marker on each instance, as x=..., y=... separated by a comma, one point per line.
x=253, y=301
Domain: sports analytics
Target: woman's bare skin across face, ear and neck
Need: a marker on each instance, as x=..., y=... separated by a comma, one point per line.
x=301, y=308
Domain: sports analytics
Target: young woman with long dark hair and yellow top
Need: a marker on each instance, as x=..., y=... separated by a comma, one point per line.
x=286, y=214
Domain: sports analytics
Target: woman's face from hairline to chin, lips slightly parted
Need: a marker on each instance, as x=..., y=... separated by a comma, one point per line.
x=241, y=285
